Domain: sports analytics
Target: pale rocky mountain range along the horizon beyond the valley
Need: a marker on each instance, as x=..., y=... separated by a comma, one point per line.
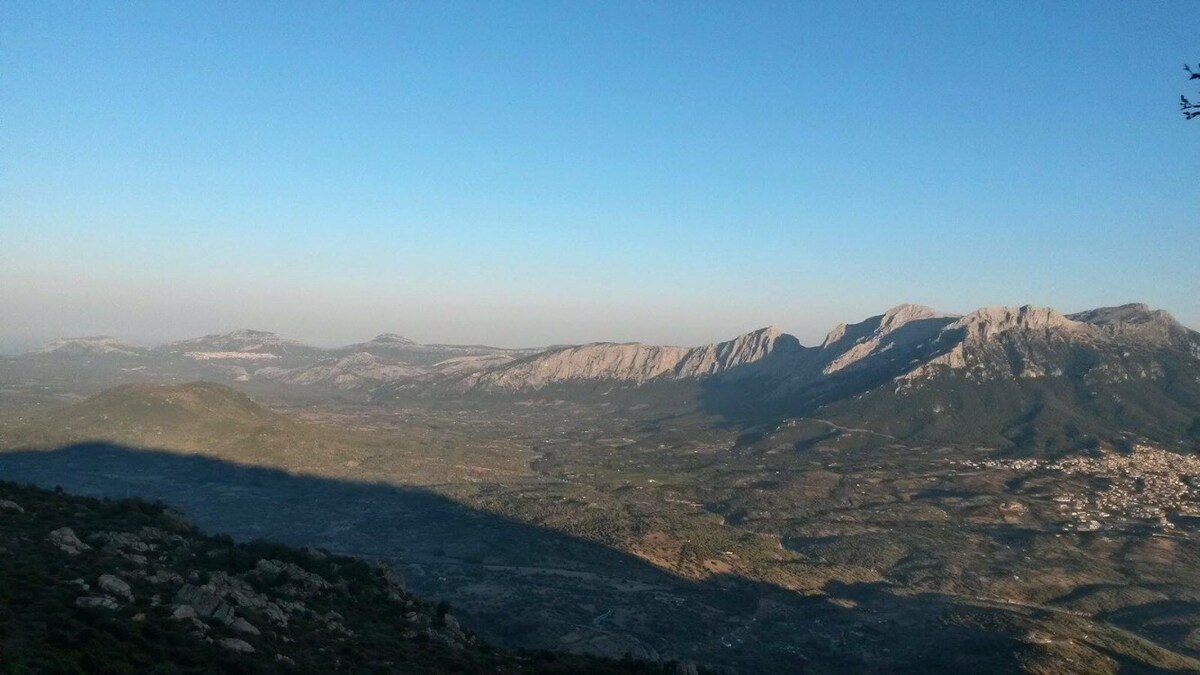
x=1015, y=377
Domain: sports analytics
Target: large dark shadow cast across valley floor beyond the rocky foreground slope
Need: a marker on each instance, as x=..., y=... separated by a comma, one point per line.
x=523, y=586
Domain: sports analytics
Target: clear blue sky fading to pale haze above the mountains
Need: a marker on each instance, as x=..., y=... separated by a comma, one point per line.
x=535, y=174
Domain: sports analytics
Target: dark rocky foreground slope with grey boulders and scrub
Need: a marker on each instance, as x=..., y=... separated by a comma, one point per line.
x=128, y=587
